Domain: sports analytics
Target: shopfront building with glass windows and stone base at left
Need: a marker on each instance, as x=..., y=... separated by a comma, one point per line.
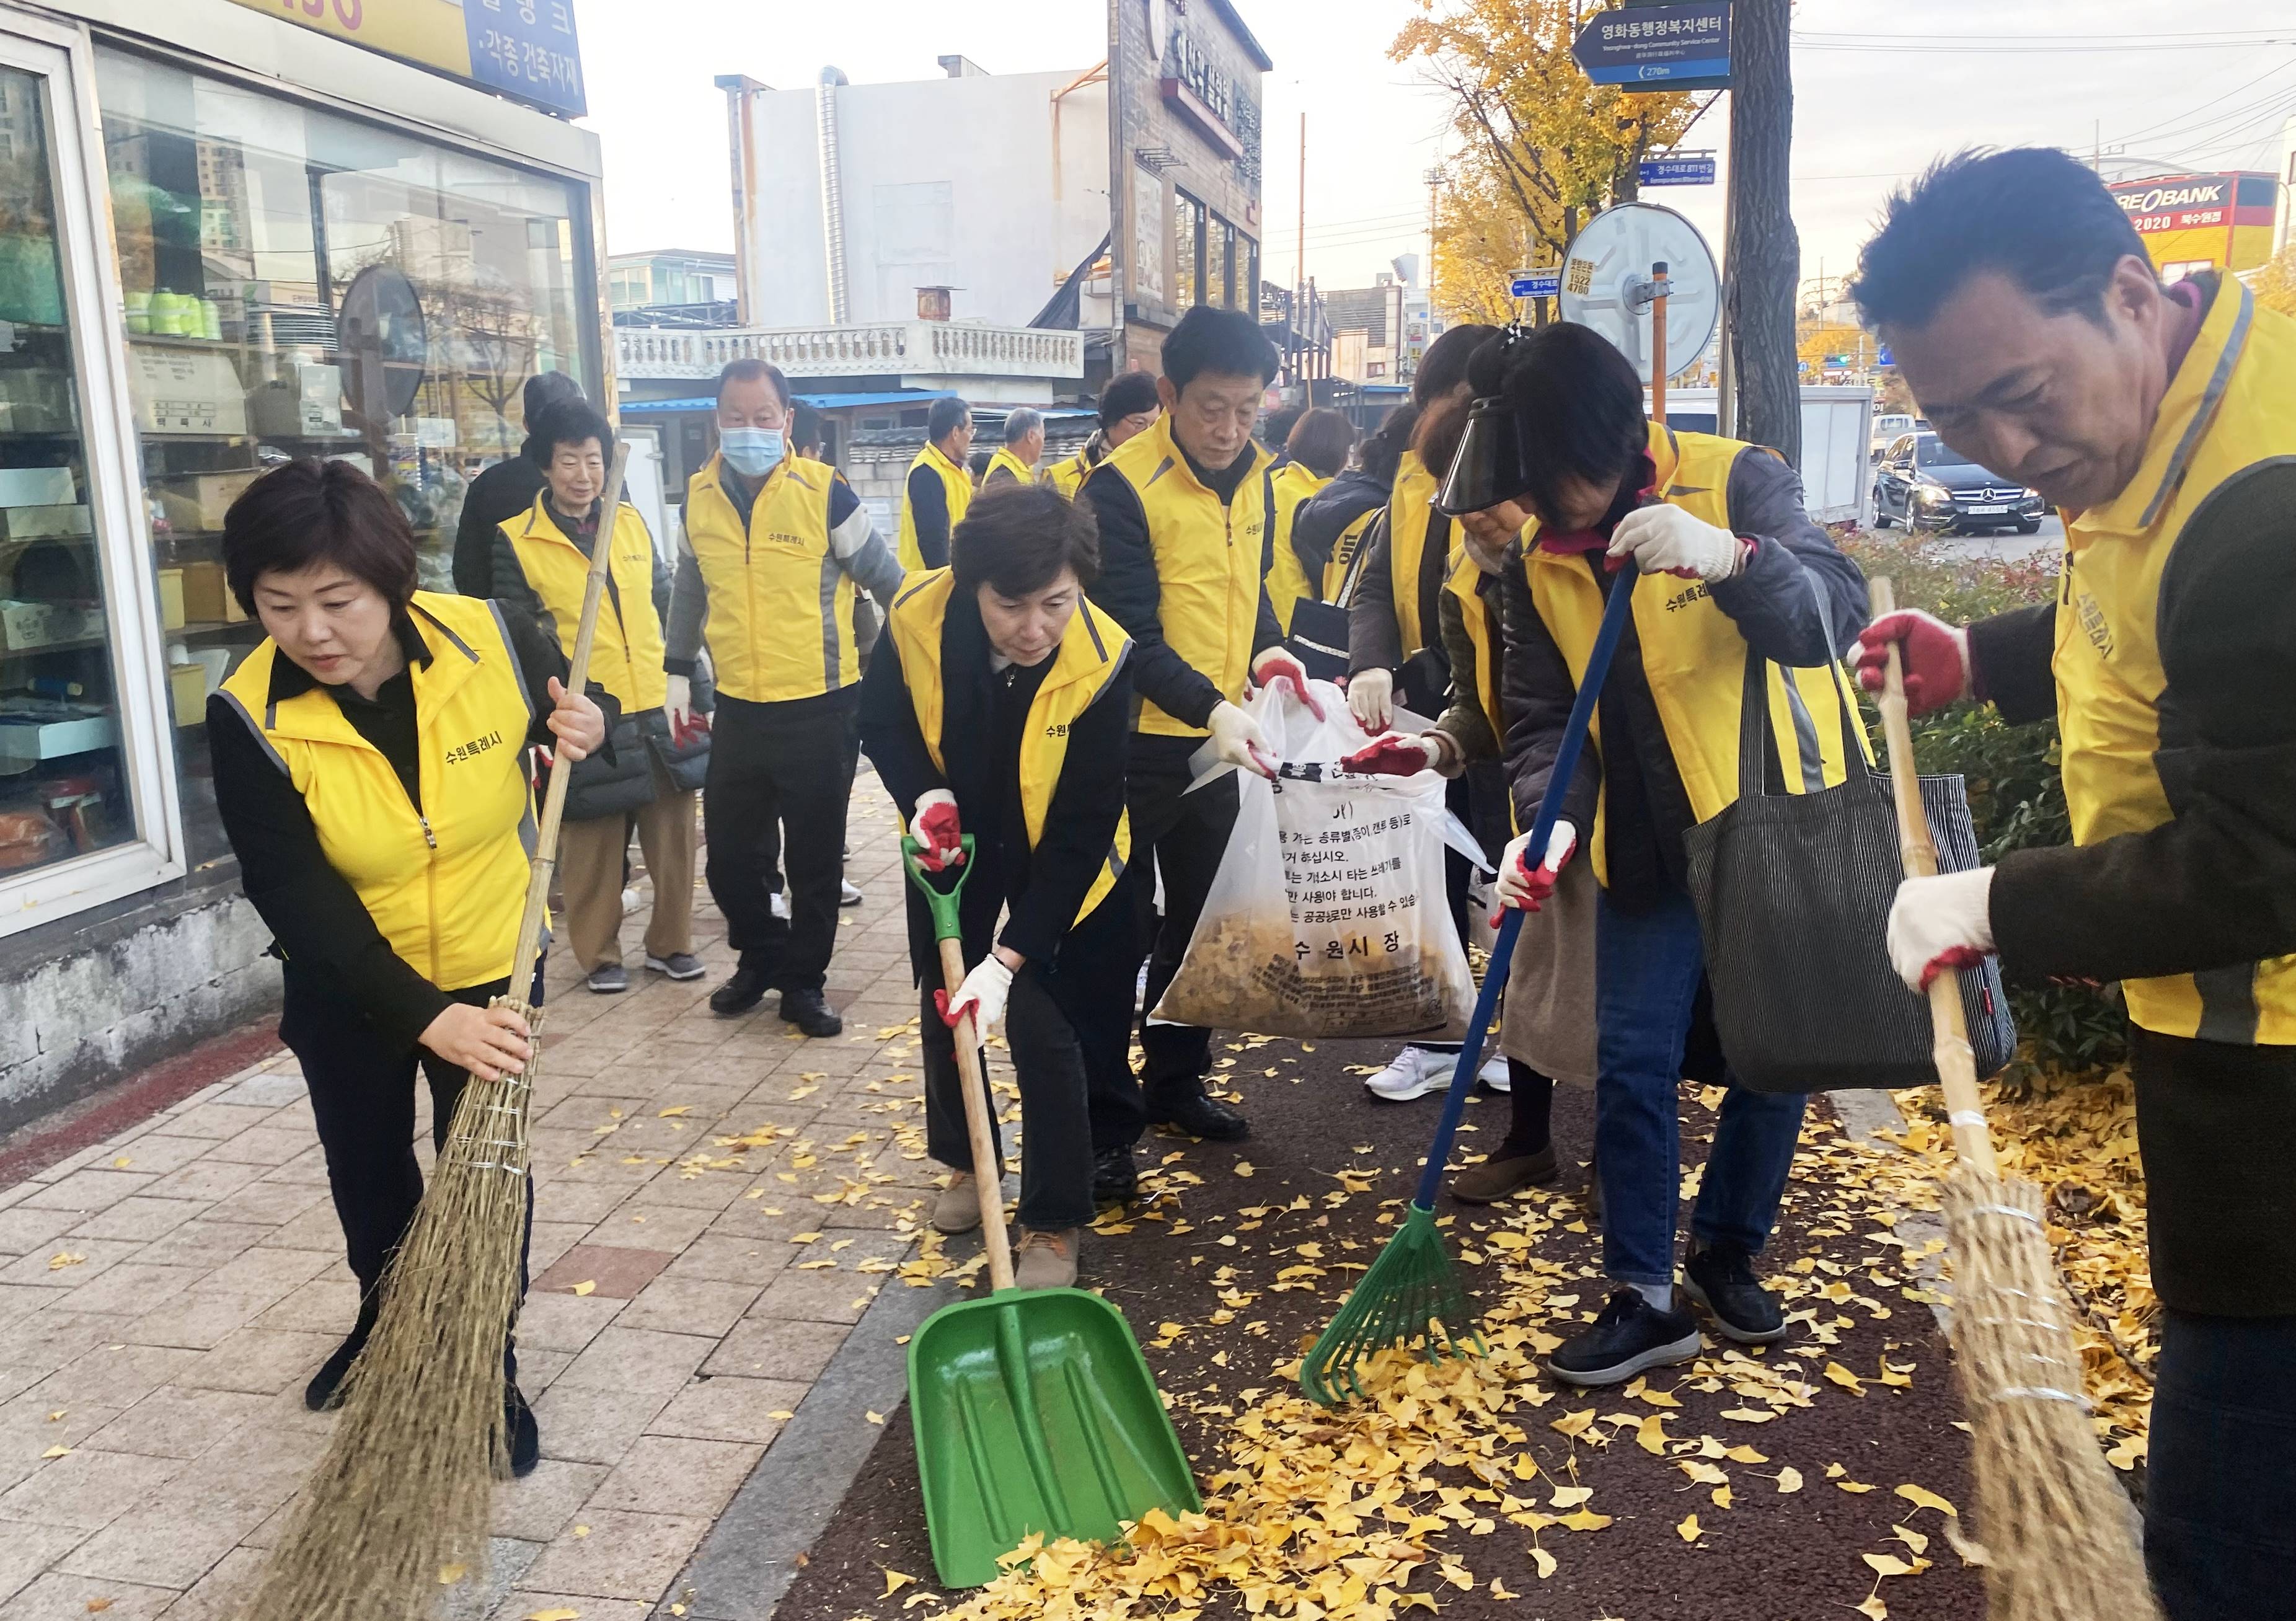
x=233, y=238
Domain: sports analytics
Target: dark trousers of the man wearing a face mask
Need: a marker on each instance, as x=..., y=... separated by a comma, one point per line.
x=782, y=780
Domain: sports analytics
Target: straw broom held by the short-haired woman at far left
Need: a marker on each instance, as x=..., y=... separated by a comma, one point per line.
x=403, y=1494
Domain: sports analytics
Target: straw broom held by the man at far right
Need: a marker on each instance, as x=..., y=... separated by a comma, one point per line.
x=2056, y=1526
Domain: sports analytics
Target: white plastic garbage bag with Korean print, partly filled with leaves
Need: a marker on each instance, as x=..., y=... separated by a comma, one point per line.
x=1328, y=913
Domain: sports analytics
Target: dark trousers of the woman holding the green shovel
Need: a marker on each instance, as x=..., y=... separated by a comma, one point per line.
x=1048, y=1064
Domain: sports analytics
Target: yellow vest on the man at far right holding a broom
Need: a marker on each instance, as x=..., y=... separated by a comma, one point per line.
x=2231, y=405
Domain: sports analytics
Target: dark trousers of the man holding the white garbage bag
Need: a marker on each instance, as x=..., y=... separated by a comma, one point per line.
x=1188, y=835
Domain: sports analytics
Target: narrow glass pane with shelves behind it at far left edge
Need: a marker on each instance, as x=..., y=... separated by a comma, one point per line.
x=63, y=750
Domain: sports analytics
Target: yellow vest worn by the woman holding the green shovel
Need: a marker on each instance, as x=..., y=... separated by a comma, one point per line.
x=1092, y=651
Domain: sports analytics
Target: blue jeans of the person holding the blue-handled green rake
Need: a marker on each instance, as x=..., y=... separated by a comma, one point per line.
x=1647, y=970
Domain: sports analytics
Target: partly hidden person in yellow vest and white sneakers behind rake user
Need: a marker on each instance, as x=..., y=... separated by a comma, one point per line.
x=1395, y=644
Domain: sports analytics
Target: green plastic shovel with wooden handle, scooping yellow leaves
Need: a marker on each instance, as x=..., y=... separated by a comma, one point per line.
x=1034, y=1409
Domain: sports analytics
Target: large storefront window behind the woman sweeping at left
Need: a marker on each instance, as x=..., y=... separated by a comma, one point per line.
x=307, y=286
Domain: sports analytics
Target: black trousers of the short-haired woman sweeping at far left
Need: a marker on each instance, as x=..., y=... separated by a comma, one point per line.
x=364, y=1103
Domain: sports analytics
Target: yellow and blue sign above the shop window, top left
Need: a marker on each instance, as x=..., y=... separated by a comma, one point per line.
x=522, y=49
